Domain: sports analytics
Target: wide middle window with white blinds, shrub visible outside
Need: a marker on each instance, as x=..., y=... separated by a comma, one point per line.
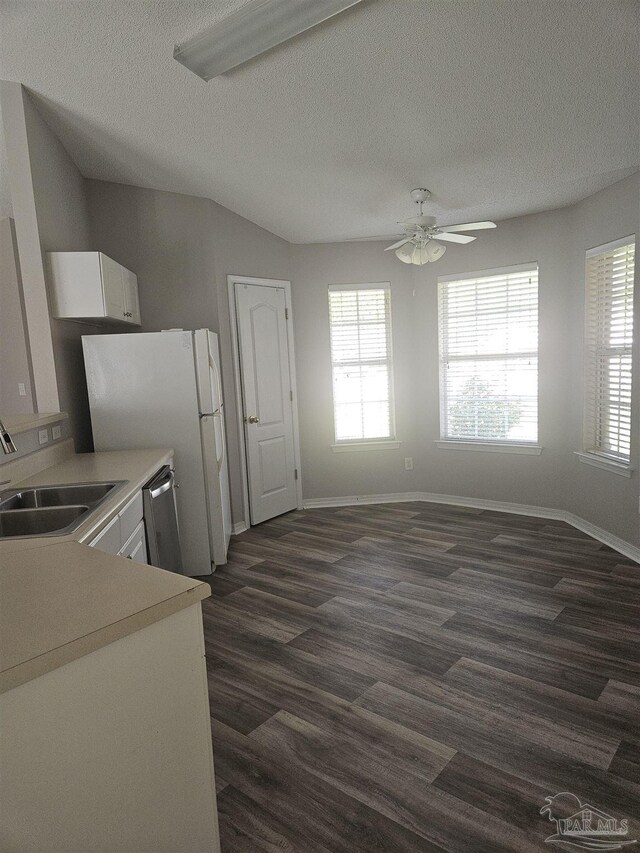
x=488, y=324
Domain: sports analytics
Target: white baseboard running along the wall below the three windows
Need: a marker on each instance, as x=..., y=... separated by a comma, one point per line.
x=604, y=536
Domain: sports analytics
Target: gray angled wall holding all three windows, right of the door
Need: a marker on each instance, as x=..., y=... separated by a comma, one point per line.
x=557, y=241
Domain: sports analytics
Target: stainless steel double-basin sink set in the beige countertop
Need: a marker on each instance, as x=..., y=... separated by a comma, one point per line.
x=50, y=510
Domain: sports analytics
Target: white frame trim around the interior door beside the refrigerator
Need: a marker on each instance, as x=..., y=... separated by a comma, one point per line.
x=232, y=281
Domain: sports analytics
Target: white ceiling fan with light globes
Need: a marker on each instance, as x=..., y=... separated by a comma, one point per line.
x=420, y=243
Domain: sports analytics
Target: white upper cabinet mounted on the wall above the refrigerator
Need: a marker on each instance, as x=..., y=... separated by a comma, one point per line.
x=91, y=286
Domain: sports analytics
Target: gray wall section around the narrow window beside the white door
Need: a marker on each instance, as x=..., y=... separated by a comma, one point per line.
x=325, y=473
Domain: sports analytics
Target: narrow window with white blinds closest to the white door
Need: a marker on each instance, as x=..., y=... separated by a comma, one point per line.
x=360, y=324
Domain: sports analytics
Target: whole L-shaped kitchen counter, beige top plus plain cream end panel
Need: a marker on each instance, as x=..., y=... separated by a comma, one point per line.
x=106, y=730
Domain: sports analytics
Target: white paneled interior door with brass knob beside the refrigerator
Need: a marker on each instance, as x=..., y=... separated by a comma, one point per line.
x=267, y=400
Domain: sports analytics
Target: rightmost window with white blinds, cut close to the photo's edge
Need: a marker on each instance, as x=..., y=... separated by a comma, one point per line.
x=608, y=349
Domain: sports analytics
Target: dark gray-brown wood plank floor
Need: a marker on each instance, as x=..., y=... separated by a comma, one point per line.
x=419, y=677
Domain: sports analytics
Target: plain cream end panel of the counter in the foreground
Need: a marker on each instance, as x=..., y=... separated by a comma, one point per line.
x=112, y=752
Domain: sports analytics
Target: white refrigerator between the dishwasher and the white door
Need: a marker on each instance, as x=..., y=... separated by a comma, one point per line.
x=163, y=389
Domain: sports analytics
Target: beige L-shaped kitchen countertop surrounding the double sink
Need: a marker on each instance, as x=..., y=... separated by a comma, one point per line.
x=60, y=599
